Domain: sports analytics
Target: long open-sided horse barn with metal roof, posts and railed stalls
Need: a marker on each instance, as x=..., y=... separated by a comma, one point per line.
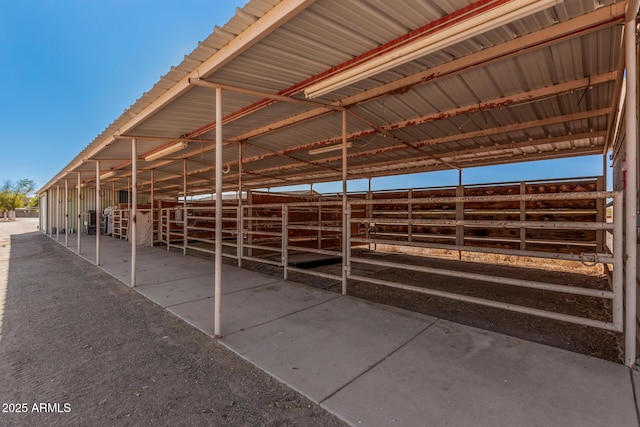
x=293, y=92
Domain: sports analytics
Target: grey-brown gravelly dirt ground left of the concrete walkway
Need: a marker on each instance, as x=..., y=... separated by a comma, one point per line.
x=95, y=352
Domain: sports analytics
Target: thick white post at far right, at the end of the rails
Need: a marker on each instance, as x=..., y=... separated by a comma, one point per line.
x=632, y=184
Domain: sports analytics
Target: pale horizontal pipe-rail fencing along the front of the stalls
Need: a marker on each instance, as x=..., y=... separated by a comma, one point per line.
x=278, y=234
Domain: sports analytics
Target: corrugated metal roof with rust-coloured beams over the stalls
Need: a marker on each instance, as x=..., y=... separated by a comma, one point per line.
x=543, y=86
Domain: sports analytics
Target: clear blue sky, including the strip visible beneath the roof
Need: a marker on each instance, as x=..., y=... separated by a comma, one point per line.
x=71, y=67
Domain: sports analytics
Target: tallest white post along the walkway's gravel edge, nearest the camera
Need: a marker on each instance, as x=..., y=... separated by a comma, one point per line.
x=218, y=246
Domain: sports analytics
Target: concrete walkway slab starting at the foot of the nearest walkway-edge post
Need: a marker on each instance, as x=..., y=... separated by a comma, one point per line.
x=319, y=350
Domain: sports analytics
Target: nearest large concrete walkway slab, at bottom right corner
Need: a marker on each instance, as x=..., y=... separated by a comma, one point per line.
x=461, y=376
